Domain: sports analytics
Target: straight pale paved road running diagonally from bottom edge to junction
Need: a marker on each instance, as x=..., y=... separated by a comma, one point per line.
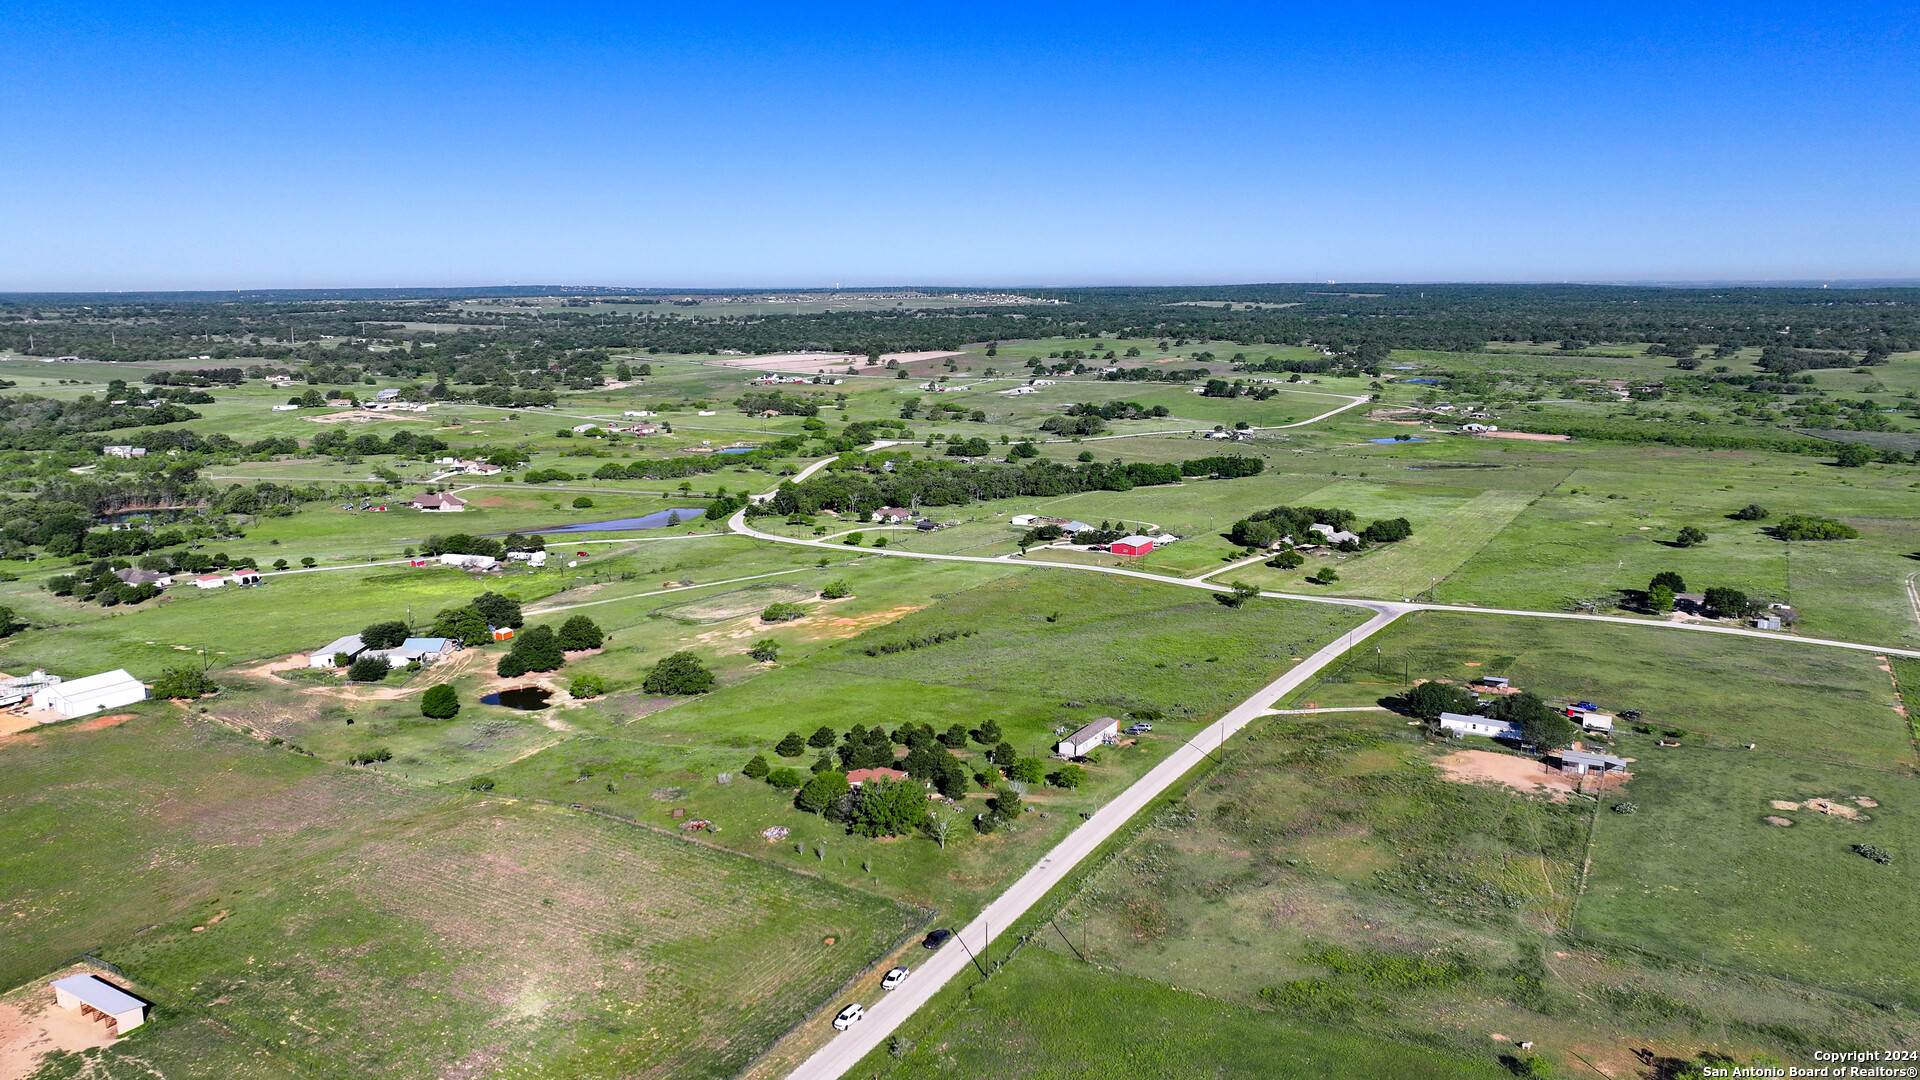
x=890, y=1010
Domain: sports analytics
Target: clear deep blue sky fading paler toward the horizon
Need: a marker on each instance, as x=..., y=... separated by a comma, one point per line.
x=704, y=145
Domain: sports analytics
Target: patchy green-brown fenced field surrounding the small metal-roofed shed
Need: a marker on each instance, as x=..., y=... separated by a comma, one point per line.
x=352, y=927
